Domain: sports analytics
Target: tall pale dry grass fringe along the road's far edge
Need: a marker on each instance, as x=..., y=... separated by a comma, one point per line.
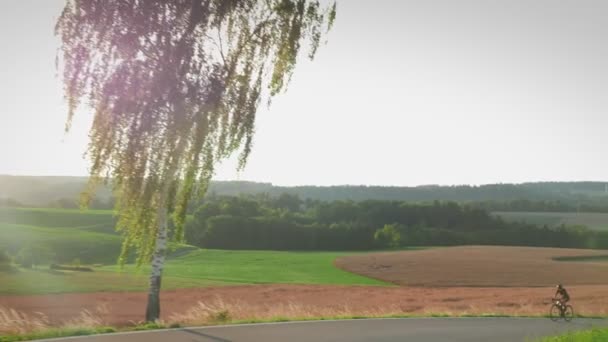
x=218, y=311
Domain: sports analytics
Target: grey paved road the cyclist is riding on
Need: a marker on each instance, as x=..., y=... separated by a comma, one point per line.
x=377, y=330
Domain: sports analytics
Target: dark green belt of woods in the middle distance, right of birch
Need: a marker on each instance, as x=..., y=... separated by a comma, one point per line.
x=287, y=222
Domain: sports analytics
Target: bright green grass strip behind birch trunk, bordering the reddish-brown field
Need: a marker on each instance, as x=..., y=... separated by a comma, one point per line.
x=196, y=269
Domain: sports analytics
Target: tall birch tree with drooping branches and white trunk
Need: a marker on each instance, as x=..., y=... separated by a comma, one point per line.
x=174, y=87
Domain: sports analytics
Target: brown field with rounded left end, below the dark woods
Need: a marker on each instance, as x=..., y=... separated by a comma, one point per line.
x=480, y=266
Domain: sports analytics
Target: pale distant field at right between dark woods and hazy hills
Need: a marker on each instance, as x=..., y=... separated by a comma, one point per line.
x=595, y=221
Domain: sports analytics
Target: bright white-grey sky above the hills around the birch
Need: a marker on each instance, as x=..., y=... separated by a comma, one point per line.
x=405, y=93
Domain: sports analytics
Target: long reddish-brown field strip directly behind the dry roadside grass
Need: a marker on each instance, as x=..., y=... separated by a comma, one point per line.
x=262, y=301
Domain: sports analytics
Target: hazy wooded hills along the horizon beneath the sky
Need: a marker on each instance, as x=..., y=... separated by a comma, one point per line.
x=548, y=196
